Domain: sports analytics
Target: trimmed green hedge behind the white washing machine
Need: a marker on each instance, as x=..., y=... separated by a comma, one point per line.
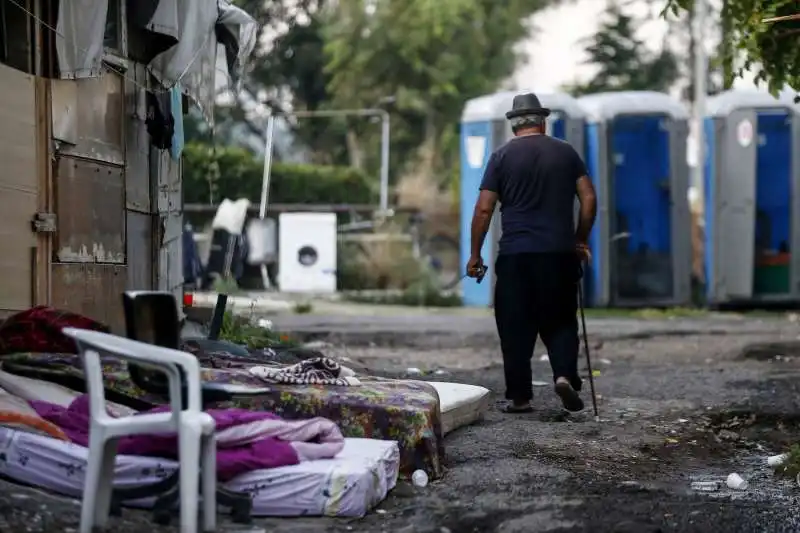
x=237, y=173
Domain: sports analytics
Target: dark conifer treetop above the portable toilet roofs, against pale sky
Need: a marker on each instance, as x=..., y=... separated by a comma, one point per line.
x=624, y=62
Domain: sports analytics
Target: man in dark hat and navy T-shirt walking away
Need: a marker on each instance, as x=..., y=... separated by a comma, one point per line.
x=536, y=178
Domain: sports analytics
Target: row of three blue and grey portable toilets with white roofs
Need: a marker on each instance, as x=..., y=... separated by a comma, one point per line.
x=634, y=145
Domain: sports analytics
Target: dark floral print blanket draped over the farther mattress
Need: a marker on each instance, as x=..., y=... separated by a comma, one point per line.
x=386, y=409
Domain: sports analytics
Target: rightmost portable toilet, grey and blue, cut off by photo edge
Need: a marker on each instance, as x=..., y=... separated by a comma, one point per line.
x=752, y=183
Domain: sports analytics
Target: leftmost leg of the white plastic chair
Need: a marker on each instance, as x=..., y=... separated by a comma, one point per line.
x=99, y=482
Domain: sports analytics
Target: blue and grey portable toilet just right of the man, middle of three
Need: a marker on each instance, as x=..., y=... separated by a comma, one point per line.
x=641, y=241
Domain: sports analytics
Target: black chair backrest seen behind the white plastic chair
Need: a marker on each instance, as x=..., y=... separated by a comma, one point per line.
x=151, y=317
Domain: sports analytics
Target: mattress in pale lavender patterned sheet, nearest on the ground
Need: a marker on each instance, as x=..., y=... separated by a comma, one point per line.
x=349, y=485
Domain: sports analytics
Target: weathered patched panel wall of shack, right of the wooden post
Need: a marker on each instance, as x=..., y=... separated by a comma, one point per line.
x=118, y=199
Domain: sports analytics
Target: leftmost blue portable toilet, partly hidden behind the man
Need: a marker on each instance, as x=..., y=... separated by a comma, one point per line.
x=484, y=128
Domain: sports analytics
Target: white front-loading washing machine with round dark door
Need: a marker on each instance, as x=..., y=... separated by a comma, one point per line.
x=307, y=252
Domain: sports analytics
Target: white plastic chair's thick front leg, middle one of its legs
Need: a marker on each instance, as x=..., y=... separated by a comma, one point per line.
x=189, y=455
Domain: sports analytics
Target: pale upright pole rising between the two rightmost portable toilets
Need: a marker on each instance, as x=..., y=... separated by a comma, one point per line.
x=700, y=76
